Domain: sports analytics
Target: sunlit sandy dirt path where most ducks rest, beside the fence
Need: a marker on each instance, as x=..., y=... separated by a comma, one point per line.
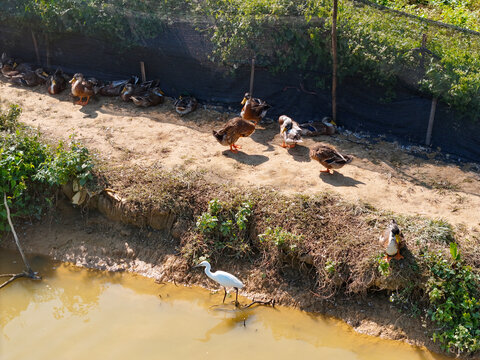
x=382, y=174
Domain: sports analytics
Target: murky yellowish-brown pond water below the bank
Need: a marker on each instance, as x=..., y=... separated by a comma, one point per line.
x=75, y=313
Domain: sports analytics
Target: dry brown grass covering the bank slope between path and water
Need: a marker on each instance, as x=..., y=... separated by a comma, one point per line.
x=336, y=251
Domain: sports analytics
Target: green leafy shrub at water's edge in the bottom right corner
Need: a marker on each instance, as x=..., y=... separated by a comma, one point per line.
x=453, y=290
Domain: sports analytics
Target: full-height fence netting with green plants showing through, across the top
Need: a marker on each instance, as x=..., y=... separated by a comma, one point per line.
x=391, y=64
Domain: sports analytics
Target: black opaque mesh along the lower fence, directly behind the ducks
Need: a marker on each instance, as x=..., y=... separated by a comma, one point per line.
x=181, y=57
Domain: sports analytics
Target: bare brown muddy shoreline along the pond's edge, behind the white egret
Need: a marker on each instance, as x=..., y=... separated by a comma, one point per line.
x=91, y=240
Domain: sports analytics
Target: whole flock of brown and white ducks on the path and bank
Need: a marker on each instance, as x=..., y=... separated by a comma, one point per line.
x=148, y=93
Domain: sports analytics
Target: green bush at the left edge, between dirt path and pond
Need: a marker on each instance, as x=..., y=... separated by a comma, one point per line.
x=30, y=170
